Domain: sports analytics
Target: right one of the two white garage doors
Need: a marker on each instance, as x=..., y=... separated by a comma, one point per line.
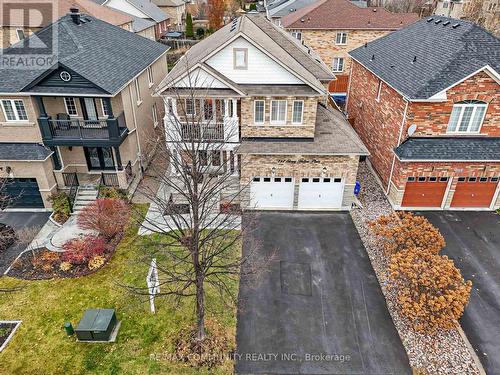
x=320, y=193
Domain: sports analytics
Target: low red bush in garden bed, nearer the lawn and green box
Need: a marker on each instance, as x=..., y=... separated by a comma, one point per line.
x=80, y=250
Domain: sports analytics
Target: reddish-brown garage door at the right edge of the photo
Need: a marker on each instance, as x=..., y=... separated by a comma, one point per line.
x=474, y=192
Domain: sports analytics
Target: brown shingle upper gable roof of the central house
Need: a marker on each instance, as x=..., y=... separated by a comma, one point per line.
x=284, y=48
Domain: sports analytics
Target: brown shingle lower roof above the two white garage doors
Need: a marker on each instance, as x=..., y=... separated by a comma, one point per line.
x=333, y=136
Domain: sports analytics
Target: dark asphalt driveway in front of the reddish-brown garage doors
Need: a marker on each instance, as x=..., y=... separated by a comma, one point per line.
x=473, y=242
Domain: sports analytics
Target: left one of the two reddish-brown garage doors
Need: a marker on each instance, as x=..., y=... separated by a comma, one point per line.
x=424, y=191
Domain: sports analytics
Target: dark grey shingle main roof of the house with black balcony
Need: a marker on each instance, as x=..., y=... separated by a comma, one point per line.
x=104, y=54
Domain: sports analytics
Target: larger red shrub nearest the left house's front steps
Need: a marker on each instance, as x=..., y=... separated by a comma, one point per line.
x=107, y=216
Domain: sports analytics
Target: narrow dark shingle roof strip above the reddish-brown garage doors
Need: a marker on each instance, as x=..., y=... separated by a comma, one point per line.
x=449, y=148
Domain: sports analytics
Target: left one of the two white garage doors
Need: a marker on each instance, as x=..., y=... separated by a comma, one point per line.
x=271, y=192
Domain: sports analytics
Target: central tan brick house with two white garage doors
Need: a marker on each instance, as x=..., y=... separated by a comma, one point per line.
x=270, y=95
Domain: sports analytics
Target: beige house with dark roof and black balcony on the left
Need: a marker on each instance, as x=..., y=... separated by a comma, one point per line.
x=82, y=113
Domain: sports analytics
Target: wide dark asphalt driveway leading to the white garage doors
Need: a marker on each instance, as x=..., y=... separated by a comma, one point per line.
x=319, y=309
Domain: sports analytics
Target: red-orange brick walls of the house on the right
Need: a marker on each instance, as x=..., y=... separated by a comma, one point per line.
x=380, y=123
